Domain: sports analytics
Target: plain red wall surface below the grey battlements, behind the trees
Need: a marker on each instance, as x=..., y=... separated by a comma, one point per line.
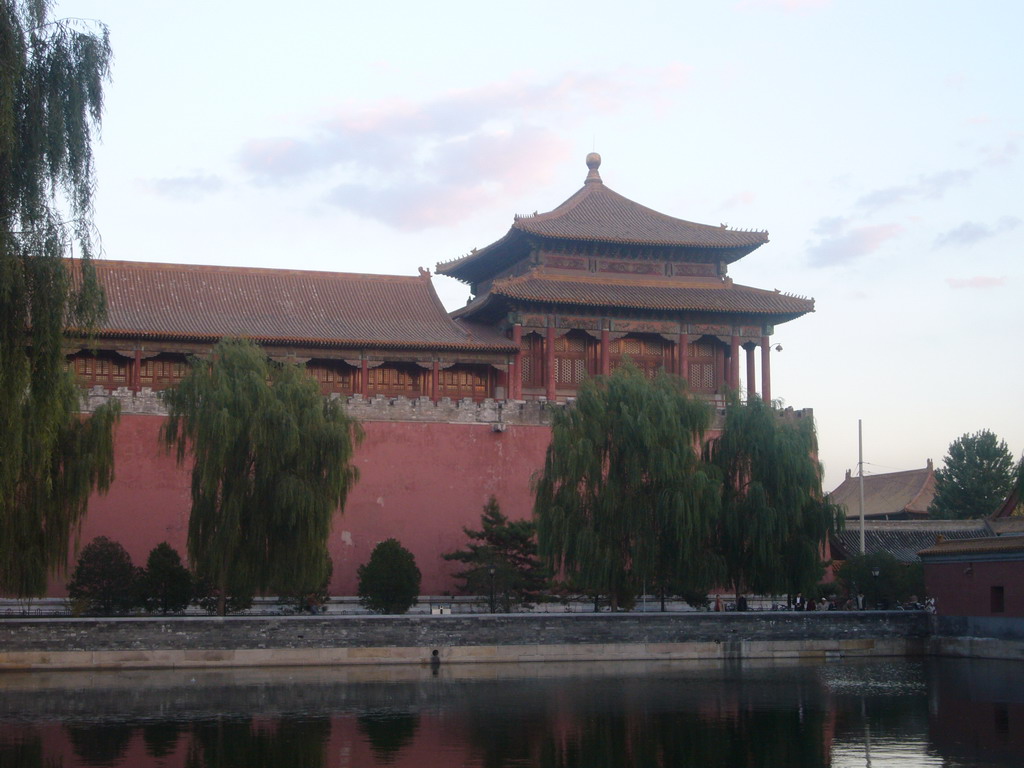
x=420, y=484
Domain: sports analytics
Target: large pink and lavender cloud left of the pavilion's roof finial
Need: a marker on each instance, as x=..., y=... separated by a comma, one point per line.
x=417, y=164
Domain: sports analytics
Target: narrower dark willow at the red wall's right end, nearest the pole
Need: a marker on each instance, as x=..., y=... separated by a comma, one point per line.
x=775, y=519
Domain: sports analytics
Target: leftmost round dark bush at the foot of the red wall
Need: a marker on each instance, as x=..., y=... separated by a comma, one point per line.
x=105, y=580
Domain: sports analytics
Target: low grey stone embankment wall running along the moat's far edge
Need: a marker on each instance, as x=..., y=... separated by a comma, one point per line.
x=242, y=642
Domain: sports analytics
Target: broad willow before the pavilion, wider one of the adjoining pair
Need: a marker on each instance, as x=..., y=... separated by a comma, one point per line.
x=624, y=500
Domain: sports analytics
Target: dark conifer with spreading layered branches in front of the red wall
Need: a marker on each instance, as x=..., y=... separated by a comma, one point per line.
x=502, y=561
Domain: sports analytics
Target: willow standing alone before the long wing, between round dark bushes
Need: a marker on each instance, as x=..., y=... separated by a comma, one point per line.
x=272, y=465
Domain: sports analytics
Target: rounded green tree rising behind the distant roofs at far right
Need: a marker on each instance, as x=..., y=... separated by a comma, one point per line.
x=977, y=476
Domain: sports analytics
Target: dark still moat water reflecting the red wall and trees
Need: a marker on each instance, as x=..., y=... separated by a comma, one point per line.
x=847, y=713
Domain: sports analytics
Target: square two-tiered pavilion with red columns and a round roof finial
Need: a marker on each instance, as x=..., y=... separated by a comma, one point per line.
x=601, y=279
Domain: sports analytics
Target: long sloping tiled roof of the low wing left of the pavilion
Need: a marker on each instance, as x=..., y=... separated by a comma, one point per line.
x=281, y=307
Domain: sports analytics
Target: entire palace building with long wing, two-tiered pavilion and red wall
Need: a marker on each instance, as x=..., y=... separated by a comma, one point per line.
x=455, y=406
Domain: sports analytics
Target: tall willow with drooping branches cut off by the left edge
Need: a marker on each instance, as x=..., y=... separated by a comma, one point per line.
x=52, y=78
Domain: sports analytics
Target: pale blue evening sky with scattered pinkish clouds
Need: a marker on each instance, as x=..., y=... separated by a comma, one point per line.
x=879, y=143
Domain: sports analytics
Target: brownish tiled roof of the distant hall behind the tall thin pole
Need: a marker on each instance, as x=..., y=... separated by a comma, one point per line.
x=889, y=496
